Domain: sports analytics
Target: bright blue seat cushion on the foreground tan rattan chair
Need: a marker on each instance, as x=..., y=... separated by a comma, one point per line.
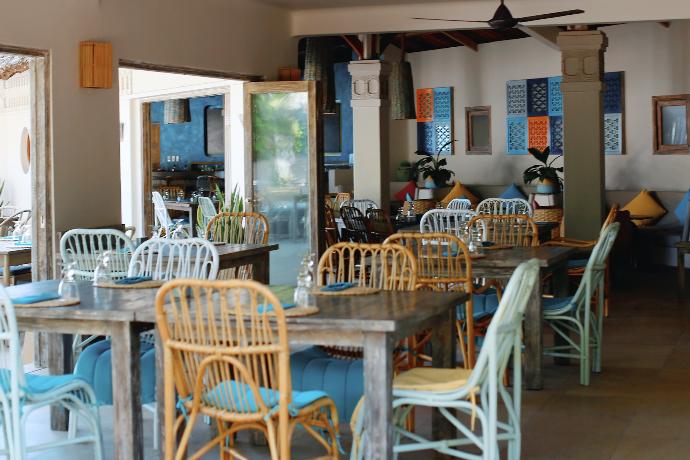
x=238, y=397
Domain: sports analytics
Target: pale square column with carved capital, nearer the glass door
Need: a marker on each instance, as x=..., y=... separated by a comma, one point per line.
x=370, y=130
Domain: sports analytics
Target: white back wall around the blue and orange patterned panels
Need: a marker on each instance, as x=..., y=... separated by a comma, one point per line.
x=656, y=61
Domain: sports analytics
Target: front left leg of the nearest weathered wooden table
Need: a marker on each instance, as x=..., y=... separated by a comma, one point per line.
x=128, y=431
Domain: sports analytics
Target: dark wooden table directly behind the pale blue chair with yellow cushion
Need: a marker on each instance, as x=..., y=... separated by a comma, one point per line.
x=553, y=260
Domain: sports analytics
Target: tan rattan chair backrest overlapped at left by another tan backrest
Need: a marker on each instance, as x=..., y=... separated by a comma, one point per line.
x=443, y=261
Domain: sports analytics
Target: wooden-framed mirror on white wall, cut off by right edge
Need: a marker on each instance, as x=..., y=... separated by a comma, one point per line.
x=671, y=124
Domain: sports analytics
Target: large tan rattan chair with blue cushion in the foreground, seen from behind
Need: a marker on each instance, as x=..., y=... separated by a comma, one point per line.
x=226, y=357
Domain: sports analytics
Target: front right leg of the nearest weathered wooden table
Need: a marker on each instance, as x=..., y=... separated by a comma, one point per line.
x=378, y=391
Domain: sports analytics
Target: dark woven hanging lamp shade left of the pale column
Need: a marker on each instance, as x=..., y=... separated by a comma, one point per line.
x=318, y=66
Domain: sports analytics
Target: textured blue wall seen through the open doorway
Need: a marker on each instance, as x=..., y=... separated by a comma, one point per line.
x=188, y=140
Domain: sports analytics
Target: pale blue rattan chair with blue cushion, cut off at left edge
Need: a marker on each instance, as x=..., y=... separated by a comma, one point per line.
x=21, y=394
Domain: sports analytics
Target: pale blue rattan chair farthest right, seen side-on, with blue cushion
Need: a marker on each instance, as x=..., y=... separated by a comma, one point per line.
x=569, y=316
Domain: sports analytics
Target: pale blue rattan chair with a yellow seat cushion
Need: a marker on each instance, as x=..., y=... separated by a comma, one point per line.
x=477, y=392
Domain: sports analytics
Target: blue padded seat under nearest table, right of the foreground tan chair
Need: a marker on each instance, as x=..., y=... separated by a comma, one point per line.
x=342, y=379
